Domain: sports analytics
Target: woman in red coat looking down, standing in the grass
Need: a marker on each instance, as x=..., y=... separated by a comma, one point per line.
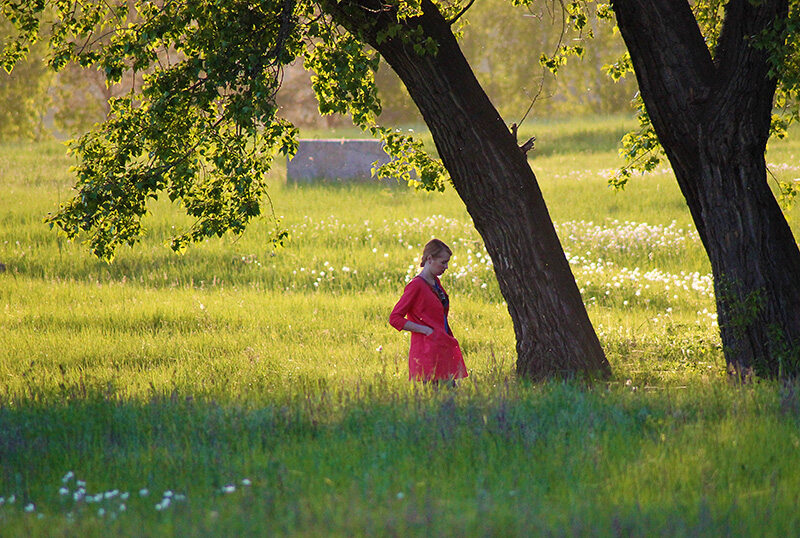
x=434, y=354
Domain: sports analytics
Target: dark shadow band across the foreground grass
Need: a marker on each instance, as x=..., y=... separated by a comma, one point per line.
x=493, y=456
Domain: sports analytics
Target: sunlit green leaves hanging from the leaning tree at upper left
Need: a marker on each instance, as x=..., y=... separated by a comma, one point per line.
x=203, y=128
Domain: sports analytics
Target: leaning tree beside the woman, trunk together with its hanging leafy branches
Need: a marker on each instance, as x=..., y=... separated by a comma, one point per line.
x=204, y=129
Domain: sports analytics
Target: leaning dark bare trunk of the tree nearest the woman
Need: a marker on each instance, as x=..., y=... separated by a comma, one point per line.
x=493, y=178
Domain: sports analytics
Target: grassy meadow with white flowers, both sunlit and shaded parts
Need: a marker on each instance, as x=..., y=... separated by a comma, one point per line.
x=239, y=390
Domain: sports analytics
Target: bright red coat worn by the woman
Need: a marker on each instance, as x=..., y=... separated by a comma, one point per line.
x=436, y=356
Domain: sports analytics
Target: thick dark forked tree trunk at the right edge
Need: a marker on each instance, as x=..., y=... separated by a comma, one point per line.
x=712, y=117
